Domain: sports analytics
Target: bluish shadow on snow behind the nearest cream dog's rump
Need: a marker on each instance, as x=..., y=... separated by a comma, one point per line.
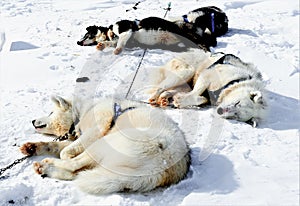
x=213, y=175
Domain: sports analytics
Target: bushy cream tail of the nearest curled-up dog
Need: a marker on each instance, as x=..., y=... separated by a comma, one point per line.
x=102, y=181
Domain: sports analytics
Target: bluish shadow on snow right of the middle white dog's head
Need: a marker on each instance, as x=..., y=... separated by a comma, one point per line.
x=283, y=113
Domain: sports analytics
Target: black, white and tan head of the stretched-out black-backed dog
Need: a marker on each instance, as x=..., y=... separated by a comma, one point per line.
x=93, y=36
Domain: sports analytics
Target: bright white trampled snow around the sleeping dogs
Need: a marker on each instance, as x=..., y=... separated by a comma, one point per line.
x=232, y=163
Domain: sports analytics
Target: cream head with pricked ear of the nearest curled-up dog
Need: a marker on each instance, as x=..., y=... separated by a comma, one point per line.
x=59, y=121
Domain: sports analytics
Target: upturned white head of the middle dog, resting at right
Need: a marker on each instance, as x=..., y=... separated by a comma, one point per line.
x=243, y=105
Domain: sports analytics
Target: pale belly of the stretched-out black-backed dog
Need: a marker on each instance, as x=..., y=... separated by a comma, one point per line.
x=153, y=37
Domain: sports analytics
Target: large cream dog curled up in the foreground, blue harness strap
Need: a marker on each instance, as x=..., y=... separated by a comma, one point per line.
x=121, y=146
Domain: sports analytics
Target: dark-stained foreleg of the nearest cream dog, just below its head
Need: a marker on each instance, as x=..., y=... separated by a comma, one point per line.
x=44, y=148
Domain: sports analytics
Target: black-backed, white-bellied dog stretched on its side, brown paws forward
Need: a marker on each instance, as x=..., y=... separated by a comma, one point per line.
x=151, y=31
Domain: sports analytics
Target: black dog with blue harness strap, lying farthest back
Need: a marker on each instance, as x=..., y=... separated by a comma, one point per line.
x=208, y=19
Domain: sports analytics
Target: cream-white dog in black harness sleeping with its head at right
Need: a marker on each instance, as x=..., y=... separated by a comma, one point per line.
x=223, y=80
